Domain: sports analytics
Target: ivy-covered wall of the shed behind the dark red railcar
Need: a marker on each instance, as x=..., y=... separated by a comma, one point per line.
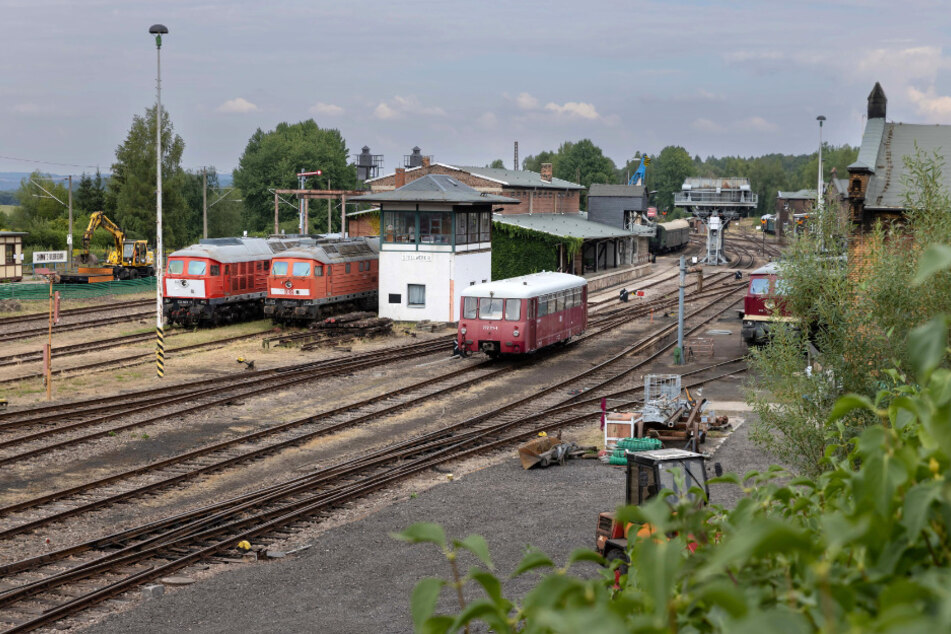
x=520, y=251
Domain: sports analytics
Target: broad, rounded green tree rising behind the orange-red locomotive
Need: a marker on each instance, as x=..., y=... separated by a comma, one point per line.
x=273, y=159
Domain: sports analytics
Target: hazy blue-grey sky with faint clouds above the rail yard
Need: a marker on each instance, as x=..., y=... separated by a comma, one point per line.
x=463, y=80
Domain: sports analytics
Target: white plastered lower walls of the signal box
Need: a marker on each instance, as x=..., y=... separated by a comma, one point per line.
x=435, y=271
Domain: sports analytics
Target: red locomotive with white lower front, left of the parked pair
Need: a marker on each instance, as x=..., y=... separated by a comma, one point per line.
x=219, y=280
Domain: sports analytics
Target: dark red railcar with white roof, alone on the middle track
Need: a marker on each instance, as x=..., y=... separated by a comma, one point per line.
x=522, y=314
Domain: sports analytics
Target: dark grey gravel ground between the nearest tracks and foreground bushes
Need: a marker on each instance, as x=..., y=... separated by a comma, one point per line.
x=355, y=578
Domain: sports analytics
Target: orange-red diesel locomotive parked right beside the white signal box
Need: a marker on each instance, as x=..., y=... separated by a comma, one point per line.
x=312, y=281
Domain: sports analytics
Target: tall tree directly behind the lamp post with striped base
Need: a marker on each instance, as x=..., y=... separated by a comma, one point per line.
x=132, y=186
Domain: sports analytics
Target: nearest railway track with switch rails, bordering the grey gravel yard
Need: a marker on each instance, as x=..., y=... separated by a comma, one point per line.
x=115, y=563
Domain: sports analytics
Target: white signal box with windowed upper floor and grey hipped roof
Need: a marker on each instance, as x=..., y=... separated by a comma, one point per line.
x=435, y=240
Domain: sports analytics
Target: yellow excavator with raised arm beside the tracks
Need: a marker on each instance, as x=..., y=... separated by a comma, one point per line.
x=128, y=260
